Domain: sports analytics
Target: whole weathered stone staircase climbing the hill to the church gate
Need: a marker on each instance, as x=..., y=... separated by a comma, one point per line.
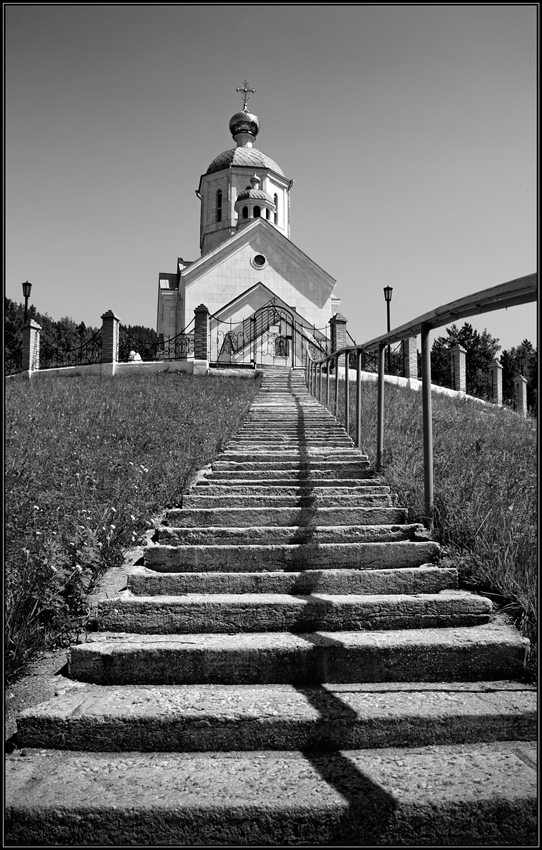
x=289, y=666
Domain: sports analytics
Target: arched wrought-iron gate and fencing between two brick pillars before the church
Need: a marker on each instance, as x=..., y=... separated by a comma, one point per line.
x=272, y=336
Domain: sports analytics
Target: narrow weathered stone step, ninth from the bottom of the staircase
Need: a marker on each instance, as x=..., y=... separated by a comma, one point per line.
x=265, y=500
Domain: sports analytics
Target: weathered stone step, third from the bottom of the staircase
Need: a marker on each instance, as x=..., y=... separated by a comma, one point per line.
x=492, y=651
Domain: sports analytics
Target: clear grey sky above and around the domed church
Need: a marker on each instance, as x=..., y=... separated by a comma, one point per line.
x=410, y=131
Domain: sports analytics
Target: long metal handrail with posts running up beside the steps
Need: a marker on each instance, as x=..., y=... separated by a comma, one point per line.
x=519, y=291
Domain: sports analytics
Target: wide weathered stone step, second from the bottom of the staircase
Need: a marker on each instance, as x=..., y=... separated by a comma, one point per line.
x=191, y=718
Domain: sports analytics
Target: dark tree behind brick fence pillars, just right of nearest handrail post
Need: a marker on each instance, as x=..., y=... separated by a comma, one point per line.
x=481, y=349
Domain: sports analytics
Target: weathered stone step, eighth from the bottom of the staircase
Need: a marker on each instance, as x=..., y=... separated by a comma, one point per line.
x=246, y=517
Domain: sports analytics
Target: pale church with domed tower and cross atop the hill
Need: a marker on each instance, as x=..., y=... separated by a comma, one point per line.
x=266, y=298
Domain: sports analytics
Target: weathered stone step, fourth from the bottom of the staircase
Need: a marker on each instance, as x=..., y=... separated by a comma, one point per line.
x=275, y=612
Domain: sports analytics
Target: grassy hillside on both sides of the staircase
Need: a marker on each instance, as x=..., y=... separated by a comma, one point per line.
x=91, y=461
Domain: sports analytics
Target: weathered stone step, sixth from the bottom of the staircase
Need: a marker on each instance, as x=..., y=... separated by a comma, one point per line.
x=298, y=556
